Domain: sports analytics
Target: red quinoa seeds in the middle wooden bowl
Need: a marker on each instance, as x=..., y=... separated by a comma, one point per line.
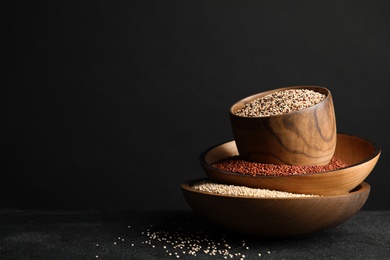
x=236, y=165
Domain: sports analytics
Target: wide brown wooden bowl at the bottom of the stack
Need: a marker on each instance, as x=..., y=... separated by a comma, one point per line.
x=276, y=217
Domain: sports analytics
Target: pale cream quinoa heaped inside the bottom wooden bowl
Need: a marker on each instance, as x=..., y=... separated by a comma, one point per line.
x=233, y=190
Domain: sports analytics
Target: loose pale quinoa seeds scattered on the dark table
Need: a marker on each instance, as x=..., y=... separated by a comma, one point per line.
x=182, y=240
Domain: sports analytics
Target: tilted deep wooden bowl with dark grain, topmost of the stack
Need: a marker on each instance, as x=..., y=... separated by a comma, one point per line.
x=303, y=137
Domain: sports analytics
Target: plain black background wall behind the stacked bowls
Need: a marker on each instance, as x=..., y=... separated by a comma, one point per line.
x=108, y=104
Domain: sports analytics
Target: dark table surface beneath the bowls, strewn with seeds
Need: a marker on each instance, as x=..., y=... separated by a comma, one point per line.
x=26, y=234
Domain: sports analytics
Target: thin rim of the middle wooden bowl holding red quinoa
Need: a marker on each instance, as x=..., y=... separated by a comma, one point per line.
x=377, y=151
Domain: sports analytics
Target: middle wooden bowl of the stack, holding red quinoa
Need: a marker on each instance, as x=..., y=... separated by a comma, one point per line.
x=359, y=154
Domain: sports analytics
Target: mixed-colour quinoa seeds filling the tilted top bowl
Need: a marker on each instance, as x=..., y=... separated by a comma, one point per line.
x=281, y=102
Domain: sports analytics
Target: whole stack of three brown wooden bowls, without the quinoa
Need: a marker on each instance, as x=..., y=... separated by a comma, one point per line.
x=304, y=137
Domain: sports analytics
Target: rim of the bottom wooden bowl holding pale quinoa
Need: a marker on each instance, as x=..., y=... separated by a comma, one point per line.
x=361, y=188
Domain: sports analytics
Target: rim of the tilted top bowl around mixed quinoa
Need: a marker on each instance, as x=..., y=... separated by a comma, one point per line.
x=328, y=95
